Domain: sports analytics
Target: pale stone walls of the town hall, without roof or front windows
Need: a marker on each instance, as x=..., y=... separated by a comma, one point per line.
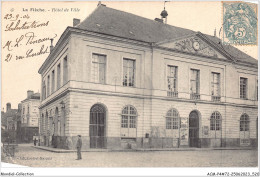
x=70, y=92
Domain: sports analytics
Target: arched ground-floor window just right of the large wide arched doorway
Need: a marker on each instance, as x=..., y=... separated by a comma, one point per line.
x=129, y=115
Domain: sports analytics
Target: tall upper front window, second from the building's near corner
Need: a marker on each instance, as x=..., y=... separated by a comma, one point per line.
x=128, y=72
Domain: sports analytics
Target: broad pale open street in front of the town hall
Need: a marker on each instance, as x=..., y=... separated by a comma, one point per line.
x=30, y=156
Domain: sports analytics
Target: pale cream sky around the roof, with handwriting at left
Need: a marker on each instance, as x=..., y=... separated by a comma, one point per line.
x=21, y=74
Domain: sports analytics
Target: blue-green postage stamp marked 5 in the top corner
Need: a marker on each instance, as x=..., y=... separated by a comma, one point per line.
x=239, y=23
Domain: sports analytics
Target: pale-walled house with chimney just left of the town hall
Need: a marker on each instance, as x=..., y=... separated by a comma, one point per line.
x=30, y=116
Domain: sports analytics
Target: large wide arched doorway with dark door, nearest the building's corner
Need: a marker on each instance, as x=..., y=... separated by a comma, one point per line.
x=97, y=126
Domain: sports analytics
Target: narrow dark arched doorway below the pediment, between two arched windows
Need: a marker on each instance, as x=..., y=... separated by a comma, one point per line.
x=194, y=129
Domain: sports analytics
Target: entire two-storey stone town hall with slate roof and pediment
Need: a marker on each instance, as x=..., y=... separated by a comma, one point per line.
x=124, y=81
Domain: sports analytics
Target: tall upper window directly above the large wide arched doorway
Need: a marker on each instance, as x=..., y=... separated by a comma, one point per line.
x=99, y=68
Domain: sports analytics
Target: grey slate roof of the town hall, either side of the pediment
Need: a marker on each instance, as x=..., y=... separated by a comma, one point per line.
x=122, y=24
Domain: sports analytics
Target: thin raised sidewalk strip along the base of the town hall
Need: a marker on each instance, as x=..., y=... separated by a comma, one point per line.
x=141, y=149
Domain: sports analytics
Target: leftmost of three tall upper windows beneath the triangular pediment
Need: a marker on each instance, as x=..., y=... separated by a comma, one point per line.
x=172, y=78
